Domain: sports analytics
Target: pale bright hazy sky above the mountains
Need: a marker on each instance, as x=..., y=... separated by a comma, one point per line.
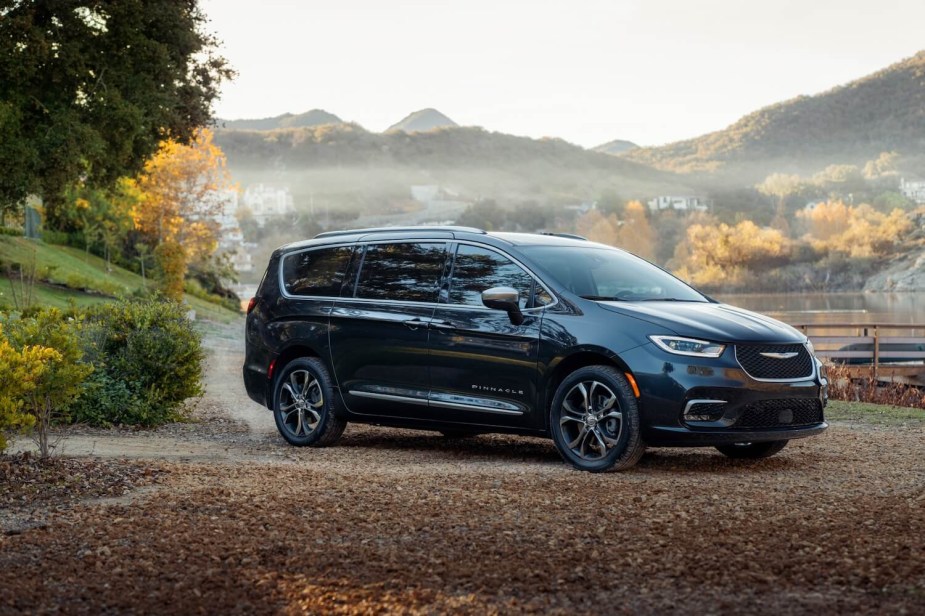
x=587, y=71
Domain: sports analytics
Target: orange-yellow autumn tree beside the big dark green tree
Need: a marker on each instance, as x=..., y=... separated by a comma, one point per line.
x=180, y=193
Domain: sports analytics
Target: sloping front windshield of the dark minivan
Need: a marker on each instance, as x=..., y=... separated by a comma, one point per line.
x=600, y=273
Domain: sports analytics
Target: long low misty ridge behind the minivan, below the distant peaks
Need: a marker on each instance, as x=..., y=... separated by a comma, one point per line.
x=347, y=159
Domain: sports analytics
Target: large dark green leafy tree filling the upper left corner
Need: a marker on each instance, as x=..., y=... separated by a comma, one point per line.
x=89, y=89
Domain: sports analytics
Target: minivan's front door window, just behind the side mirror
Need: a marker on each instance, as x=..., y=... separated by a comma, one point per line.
x=477, y=269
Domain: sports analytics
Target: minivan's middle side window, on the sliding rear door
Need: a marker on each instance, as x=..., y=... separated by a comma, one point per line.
x=406, y=272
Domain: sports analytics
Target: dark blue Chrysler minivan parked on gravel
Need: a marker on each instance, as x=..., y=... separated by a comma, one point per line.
x=465, y=332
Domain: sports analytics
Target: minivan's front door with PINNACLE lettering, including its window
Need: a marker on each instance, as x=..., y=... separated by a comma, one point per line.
x=482, y=366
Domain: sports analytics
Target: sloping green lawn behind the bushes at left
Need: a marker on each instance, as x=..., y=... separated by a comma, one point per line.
x=63, y=263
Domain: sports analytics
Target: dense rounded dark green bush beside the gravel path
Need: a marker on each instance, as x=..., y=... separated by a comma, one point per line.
x=148, y=361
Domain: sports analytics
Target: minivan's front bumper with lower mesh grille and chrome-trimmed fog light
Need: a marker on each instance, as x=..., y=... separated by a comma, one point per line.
x=694, y=402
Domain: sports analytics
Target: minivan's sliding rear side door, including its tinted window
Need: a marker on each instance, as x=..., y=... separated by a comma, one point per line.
x=379, y=332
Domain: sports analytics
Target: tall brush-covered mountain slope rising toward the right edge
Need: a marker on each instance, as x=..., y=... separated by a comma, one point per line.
x=848, y=124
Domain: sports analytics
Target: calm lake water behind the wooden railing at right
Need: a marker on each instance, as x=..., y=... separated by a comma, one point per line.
x=834, y=308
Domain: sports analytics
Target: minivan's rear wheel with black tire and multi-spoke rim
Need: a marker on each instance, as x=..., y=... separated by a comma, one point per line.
x=303, y=404
